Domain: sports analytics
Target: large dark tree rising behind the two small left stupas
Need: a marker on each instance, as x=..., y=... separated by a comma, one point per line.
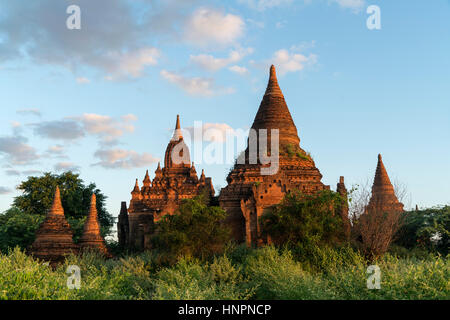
x=38, y=193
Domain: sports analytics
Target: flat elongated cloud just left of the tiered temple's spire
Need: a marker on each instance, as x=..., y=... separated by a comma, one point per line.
x=123, y=159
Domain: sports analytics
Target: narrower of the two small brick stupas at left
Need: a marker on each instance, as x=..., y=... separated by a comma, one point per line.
x=91, y=238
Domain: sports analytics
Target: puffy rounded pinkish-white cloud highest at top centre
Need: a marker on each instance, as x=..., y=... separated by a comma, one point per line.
x=211, y=27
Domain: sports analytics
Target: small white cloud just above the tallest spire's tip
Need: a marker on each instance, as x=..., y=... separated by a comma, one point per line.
x=286, y=61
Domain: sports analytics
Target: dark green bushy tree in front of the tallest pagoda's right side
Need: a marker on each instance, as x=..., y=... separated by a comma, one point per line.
x=305, y=219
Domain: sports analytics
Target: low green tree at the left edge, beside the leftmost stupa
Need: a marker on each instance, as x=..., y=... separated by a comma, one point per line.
x=17, y=229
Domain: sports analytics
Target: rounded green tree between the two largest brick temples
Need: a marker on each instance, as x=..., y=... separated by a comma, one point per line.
x=195, y=230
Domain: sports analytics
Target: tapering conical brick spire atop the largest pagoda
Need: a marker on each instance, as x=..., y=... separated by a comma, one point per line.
x=273, y=113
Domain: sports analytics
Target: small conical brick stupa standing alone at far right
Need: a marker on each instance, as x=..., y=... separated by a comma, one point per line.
x=383, y=196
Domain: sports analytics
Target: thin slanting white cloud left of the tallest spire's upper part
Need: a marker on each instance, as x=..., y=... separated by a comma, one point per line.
x=195, y=86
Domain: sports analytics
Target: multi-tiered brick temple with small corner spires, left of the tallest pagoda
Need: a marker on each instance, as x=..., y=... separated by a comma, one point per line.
x=173, y=183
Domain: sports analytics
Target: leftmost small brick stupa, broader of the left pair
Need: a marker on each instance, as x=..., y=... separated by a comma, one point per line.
x=54, y=237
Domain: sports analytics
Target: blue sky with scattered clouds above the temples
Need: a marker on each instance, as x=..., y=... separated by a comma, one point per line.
x=102, y=100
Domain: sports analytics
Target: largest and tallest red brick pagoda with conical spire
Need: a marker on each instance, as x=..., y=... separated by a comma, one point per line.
x=249, y=193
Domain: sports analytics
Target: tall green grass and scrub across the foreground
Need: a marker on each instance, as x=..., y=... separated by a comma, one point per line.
x=241, y=273
